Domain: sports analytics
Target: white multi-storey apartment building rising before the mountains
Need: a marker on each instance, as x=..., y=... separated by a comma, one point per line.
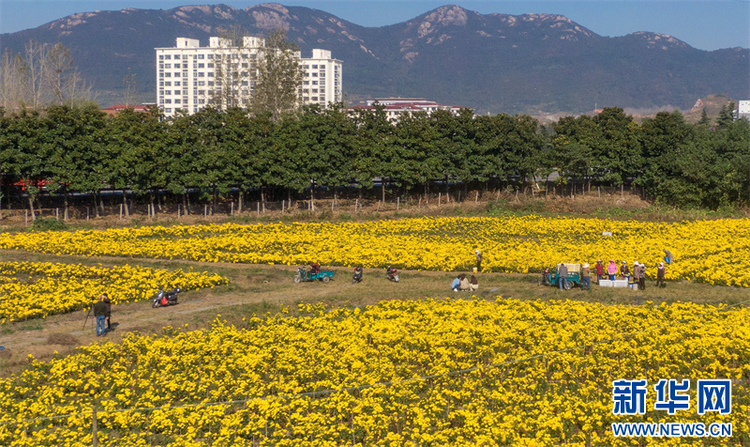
x=188, y=75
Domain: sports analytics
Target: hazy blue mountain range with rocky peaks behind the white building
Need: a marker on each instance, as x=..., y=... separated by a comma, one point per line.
x=531, y=63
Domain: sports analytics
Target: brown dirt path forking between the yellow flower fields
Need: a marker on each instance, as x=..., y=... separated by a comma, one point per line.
x=263, y=288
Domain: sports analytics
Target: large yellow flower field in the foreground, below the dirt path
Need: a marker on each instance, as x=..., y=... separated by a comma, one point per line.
x=428, y=372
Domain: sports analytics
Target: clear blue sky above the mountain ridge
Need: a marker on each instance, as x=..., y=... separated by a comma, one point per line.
x=706, y=25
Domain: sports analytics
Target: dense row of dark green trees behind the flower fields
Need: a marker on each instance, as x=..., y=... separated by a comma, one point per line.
x=210, y=154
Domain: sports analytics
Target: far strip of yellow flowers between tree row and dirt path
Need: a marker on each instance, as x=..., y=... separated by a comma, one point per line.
x=714, y=252
